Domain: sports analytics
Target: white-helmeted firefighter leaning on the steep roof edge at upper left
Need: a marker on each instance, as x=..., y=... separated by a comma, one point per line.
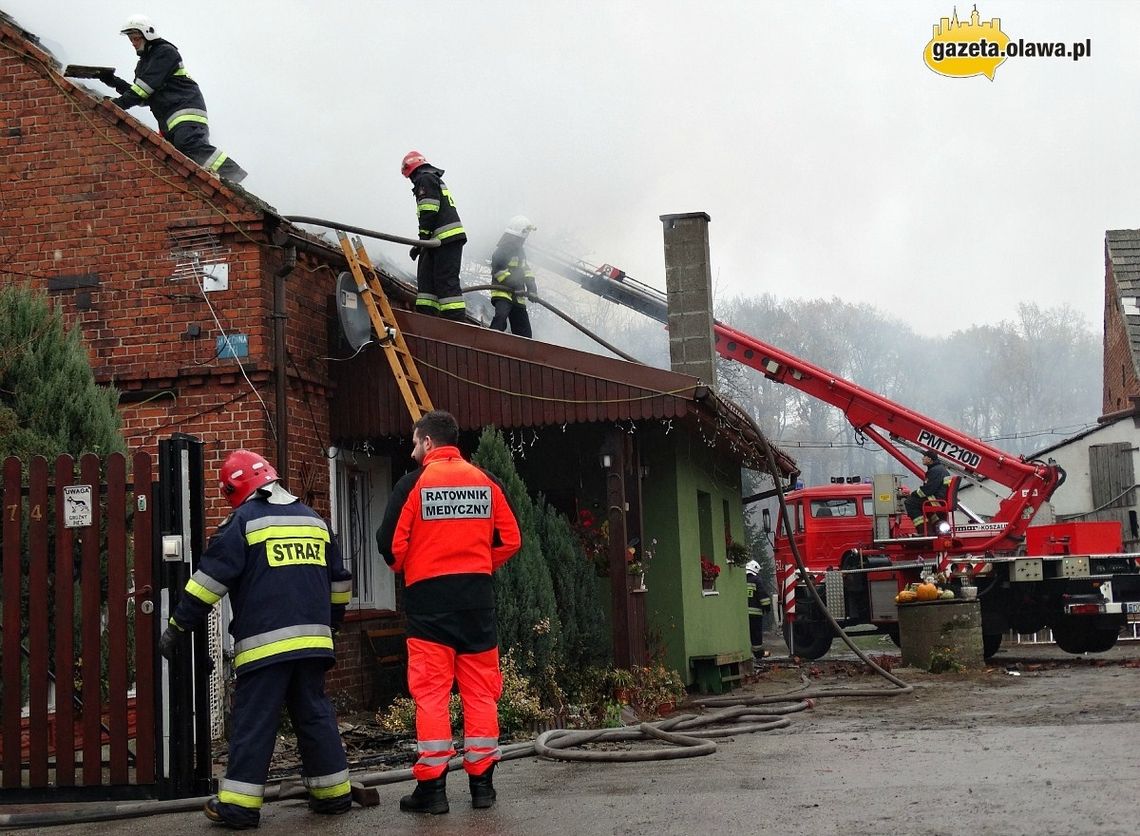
x=162, y=84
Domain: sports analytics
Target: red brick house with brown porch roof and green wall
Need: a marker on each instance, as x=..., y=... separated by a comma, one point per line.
x=215, y=316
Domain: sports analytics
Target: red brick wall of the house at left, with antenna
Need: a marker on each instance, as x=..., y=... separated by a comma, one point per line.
x=96, y=208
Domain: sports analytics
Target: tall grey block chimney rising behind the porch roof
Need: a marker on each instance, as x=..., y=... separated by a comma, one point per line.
x=689, y=286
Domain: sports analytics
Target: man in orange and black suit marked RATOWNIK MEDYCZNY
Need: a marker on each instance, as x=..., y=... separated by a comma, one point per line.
x=447, y=527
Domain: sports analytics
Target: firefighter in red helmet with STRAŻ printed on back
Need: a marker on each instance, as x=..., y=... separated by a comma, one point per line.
x=275, y=558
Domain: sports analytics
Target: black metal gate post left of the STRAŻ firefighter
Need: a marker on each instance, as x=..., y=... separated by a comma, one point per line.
x=183, y=699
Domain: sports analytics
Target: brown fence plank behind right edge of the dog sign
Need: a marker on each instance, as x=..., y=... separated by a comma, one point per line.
x=91, y=619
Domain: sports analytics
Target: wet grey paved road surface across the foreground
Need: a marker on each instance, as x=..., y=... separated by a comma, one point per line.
x=1039, y=744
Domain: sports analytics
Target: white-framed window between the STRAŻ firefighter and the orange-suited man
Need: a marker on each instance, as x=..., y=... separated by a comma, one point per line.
x=363, y=488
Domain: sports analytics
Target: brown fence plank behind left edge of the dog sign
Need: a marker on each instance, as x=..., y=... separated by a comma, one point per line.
x=66, y=632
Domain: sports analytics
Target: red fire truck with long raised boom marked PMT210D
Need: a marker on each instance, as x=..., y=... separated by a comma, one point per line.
x=858, y=547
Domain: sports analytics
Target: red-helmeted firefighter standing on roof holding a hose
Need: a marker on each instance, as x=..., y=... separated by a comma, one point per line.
x=438, y=288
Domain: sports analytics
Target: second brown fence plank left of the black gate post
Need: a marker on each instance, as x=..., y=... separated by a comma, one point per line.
x=117, y=615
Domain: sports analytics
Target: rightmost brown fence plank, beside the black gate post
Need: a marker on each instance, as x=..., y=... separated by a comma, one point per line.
x=144, y=624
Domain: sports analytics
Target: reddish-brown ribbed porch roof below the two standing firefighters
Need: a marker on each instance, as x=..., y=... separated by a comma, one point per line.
x=492, y=378
